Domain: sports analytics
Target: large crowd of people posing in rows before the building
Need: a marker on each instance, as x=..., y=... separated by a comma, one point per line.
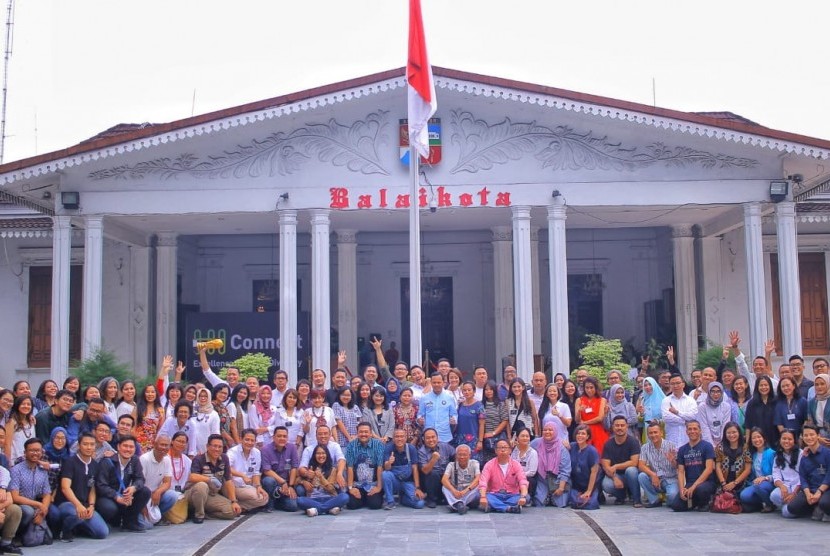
x=82, y=459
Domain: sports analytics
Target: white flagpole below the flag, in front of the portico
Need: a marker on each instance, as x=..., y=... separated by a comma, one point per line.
x=414, y=260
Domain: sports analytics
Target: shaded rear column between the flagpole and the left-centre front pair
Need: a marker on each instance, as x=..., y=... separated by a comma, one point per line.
x=347, y=291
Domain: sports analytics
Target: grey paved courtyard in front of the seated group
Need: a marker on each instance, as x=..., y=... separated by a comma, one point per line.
x=428, y=532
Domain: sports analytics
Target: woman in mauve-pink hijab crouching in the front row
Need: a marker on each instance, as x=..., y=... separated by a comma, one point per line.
x=553, y=469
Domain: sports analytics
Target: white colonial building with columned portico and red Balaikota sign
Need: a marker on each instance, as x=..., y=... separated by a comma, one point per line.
x=555, y=213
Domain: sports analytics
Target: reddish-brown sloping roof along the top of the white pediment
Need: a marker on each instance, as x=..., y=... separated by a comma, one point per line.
x=123, y=133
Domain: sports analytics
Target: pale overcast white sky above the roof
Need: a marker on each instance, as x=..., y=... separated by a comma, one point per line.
x=81, y=66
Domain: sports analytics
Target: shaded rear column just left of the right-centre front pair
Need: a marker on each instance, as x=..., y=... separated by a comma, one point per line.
x=503, y=293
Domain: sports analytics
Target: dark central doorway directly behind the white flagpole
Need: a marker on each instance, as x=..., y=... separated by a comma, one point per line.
x=436, y=318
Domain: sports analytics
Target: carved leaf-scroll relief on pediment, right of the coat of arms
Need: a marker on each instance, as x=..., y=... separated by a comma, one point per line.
x=484, y=145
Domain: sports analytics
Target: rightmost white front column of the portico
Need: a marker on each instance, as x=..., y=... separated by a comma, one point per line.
x=789, y=284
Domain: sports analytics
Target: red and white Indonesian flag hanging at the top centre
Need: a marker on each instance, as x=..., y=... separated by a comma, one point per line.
x=421, y=103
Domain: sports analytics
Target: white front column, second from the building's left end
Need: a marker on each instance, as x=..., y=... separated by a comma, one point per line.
x=93, y=285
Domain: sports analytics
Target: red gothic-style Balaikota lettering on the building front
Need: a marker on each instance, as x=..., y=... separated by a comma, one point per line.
x=341, y=199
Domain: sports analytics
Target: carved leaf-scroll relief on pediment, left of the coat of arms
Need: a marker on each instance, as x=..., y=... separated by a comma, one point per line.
x=354, y=147
